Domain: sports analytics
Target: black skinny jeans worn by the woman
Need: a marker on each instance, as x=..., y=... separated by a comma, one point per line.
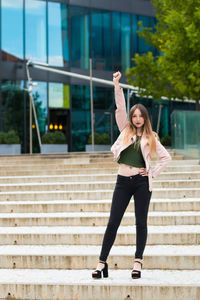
x=126, y=187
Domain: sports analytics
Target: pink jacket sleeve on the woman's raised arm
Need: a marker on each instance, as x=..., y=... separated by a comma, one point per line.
x=120, y=112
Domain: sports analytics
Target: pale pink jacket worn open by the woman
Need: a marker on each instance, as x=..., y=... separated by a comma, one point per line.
x=118, y=147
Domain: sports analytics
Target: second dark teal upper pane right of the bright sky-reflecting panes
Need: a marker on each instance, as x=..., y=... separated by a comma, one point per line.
x=101, y=40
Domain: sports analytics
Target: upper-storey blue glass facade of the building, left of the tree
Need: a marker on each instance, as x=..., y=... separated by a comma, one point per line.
x=42, y=34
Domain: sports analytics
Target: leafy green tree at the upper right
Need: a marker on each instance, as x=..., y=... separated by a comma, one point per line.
x=176, y=71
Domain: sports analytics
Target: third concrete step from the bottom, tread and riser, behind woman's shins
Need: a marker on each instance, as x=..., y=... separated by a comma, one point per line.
x=93, y=235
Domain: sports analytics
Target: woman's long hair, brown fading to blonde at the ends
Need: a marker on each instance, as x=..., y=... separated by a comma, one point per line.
x=147, y=132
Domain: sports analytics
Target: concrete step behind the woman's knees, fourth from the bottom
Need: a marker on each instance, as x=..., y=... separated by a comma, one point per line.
x=95, y=219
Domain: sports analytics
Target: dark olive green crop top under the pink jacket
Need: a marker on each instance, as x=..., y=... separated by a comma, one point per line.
x=132, y=155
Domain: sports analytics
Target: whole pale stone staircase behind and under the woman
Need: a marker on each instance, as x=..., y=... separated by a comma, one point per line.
x=53, y=214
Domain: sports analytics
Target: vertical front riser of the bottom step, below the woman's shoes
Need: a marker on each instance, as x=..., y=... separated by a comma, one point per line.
x=96, y=292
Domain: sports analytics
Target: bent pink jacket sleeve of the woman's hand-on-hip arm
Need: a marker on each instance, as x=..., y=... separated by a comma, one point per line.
x=164, y=156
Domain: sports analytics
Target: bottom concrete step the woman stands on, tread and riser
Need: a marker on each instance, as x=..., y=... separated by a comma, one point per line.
x=79, y=285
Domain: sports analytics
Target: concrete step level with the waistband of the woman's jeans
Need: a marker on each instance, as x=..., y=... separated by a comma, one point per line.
x=92, y=177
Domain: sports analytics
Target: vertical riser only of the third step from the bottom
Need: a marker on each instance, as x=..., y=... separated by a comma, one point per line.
x=96, y=239
